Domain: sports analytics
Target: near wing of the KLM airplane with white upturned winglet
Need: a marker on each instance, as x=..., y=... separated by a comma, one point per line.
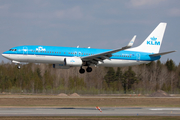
x=106, y=55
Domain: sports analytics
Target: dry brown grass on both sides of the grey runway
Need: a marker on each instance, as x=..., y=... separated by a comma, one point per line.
x=11, y=101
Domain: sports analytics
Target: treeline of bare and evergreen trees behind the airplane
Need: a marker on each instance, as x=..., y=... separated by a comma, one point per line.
x=43, y=78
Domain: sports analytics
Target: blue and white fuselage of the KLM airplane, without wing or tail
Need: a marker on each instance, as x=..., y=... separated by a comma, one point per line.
x=56, y=55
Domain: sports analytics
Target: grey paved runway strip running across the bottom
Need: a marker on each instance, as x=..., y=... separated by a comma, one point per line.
x=90, y=111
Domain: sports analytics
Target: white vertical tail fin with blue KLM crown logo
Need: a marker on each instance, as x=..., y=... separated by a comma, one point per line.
x=153, y=42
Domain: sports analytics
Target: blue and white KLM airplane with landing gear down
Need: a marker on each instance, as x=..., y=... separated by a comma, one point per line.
x=67, y=57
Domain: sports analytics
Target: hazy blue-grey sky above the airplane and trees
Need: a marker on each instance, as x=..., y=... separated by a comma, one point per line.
x=106, y=24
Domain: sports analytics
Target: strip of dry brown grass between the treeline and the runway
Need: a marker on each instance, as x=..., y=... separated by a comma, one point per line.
x=90, y=101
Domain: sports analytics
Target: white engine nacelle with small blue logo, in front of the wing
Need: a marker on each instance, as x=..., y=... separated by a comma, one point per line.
x=73, y=61
